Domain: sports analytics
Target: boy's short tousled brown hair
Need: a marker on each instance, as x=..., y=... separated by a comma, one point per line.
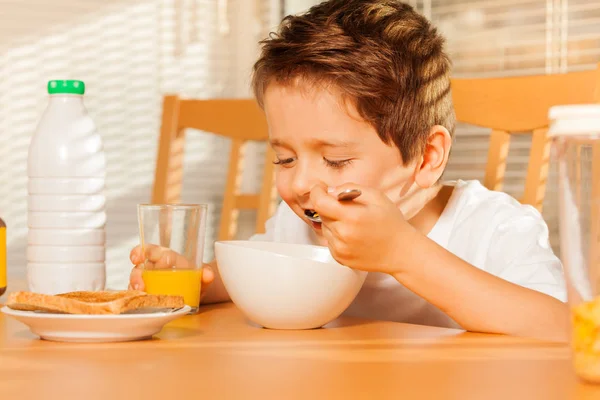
x=380, y=54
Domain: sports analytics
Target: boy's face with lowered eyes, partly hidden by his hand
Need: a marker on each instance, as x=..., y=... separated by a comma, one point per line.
x=319, y=140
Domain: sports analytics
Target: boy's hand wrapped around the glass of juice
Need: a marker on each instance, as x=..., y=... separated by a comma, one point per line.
x=161, y=257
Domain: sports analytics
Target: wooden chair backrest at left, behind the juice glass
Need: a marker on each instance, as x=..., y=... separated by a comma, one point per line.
x=240, y=120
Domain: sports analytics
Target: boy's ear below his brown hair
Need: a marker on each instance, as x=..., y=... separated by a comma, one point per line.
x=434, y=158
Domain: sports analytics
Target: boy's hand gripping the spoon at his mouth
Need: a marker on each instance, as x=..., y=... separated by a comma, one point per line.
x=368, y=233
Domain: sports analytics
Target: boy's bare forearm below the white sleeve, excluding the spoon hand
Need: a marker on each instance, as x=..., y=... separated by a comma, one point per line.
x=475, y=299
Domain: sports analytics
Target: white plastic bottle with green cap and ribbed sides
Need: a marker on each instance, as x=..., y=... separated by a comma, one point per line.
x=66, y=202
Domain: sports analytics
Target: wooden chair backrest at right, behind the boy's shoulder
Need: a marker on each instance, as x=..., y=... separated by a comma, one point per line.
x=519, y=105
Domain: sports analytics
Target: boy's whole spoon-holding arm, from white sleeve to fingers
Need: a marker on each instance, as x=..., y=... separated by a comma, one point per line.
x=372, y=234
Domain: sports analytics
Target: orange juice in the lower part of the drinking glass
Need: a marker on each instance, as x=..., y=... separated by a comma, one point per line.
x=181, y=282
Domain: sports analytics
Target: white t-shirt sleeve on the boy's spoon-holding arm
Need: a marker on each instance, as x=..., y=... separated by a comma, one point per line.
x=520, y=253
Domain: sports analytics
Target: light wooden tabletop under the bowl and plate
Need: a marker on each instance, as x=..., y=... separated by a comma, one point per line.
x=217, y=354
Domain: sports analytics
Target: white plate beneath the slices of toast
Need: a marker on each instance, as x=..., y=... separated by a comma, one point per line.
x=95, y=328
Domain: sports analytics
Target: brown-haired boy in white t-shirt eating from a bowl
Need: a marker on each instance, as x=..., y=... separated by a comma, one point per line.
x=357, y=96
